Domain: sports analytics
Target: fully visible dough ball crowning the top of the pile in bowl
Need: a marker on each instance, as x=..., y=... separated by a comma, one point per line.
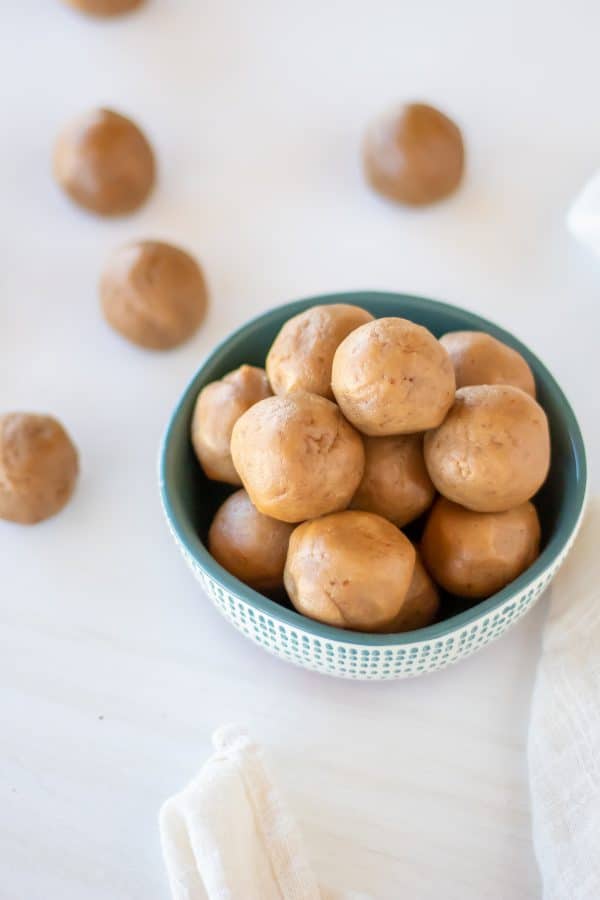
x=392, y=376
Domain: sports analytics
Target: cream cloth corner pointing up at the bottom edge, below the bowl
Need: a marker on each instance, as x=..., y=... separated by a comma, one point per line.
x=230, y=836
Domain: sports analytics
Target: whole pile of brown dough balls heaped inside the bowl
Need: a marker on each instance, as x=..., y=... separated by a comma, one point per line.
x=358, y=428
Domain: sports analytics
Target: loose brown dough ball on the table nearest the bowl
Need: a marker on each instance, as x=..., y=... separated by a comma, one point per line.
x=153, y=294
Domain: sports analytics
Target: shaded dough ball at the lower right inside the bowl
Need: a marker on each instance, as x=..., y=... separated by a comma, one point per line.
x=474, y=554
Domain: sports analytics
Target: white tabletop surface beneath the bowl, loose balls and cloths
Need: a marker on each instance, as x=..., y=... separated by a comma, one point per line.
x=114, y=669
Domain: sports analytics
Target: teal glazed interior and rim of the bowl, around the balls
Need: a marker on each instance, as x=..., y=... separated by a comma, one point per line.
x=190, y=499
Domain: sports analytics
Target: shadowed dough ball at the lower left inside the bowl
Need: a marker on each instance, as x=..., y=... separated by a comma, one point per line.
x=249, y=545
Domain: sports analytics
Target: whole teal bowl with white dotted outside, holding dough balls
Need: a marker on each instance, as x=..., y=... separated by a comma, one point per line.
x=190, y=500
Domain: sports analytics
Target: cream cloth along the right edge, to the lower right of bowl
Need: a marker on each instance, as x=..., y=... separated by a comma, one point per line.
x=564, y=736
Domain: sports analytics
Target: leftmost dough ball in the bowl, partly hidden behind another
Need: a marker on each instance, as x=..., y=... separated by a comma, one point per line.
x=218, y=407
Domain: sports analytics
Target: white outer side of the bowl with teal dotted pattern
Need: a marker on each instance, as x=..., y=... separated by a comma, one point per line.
x=373, y=663
